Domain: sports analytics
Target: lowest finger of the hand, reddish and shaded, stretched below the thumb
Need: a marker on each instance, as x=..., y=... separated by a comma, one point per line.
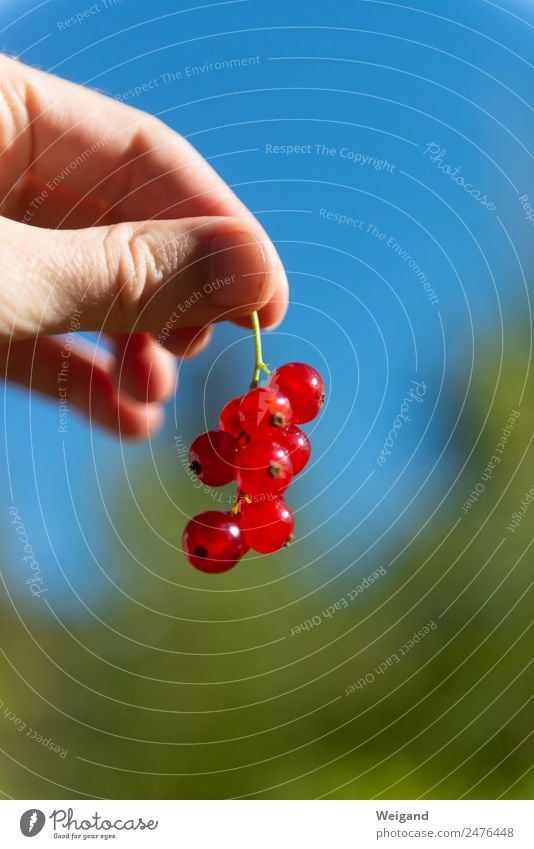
x=78, y=379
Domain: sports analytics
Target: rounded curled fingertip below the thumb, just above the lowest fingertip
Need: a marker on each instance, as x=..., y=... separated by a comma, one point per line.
x=142, y=368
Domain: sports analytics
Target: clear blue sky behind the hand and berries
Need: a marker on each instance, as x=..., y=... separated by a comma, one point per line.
x=381, y=146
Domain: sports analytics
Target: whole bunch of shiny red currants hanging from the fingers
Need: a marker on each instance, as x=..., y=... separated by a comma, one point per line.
x=261, y=447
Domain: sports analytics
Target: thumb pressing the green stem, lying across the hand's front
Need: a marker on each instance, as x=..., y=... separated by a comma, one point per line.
x=154, y=276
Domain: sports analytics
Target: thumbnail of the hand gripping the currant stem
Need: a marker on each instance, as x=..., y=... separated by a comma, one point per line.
x=238, y=270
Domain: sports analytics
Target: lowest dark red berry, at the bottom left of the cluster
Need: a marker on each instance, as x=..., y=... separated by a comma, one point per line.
x=213, y=541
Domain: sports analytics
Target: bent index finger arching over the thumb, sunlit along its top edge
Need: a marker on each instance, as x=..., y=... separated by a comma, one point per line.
x=78, y=158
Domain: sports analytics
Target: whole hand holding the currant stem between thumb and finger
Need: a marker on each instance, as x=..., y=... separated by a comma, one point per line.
x=111, y=222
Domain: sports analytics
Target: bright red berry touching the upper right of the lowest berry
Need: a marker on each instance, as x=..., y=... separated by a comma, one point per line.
x=266, y=525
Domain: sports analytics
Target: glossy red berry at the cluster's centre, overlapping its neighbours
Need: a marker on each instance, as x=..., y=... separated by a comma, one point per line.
x=263, y=467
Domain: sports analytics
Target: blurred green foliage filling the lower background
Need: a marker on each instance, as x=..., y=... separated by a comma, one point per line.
x=177, y=705
